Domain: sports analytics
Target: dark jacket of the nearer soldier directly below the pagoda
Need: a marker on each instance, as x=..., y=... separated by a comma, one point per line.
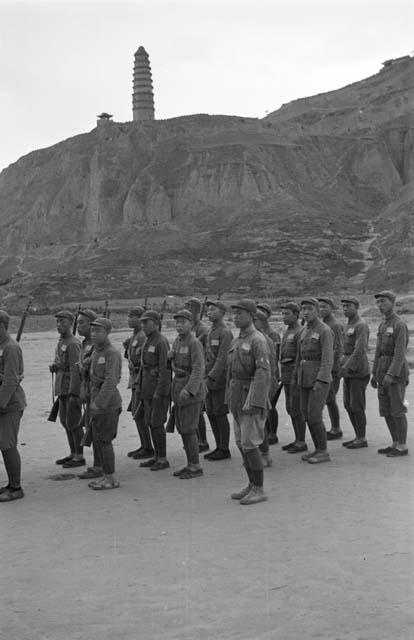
x=155, y=375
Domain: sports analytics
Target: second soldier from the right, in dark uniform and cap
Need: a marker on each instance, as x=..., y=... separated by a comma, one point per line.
x=354, y=370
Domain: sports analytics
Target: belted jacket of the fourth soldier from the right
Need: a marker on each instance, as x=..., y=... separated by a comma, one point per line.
x=315, y=354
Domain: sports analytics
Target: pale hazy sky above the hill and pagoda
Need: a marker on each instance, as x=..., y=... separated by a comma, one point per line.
x=62, y=63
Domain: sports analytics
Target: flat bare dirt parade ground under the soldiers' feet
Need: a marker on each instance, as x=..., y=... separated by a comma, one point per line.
x=329, y=556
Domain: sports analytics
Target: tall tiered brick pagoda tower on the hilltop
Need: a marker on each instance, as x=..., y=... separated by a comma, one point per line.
x=143, y=94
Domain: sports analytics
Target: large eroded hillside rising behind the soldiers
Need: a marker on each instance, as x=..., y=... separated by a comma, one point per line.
x=276, y=206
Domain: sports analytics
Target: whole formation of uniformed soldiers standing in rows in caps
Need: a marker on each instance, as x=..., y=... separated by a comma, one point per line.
x=207, y=369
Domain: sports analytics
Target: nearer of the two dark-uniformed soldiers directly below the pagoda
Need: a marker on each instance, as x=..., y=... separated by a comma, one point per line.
x=154, y=387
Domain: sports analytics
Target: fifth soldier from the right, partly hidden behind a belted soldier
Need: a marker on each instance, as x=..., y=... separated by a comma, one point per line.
x=288, y=353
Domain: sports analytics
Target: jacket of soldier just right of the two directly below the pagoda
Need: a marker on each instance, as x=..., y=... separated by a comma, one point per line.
x=188, y=365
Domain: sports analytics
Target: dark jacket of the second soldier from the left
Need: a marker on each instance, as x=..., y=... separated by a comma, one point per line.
x=67, y=356
